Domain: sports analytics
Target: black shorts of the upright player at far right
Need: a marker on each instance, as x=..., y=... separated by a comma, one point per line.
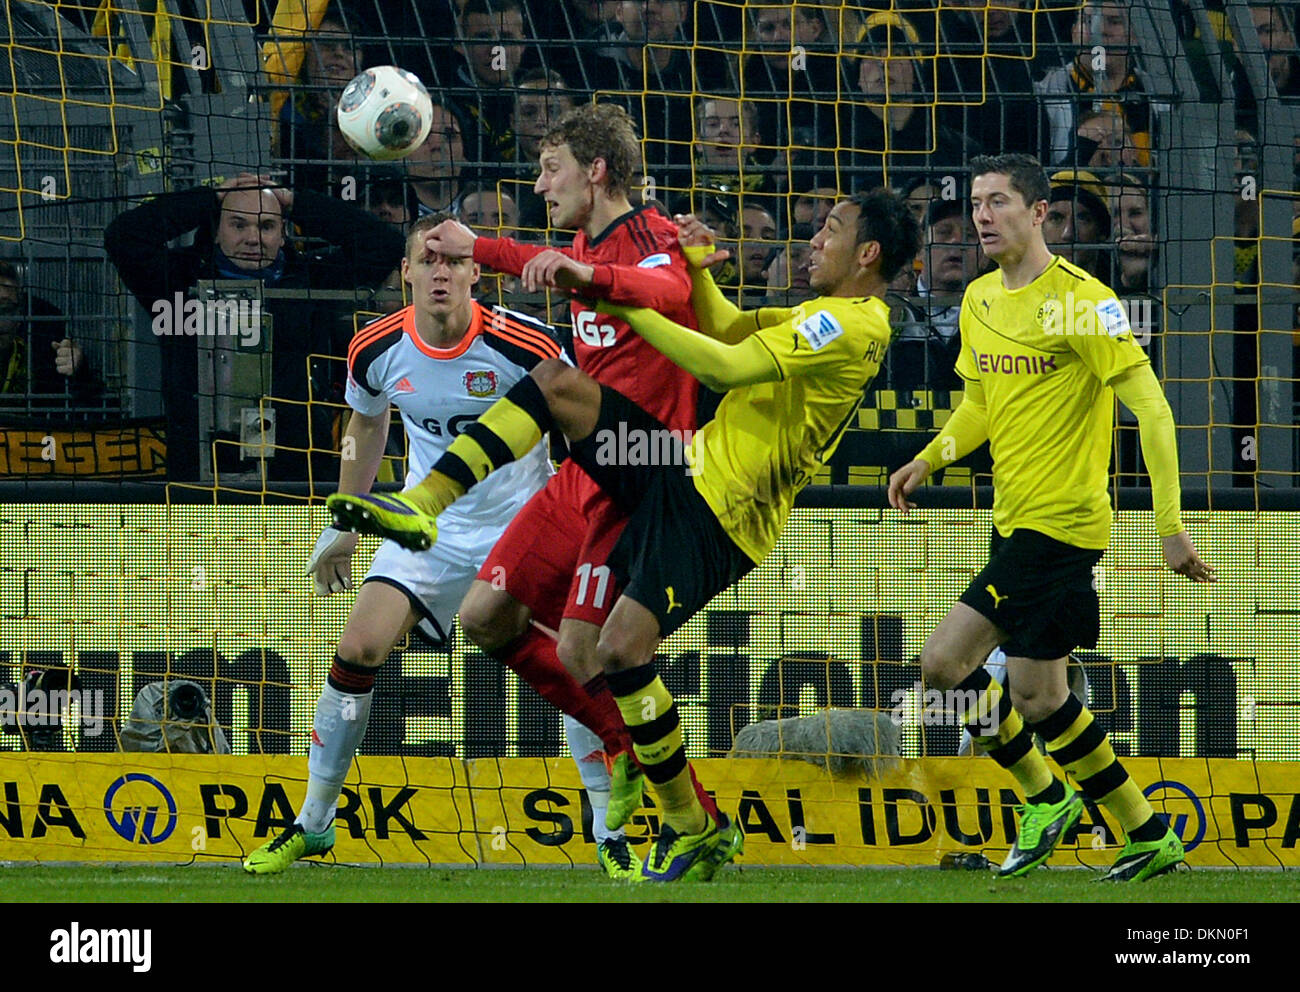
x=1041, y=592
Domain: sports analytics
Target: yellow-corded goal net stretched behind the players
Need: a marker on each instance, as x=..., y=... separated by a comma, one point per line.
x=162, y=488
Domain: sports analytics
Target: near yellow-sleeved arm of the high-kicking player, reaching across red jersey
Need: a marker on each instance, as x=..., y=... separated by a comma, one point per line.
x=721, y=367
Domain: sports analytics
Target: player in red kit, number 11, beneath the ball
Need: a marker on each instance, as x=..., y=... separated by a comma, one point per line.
x=549, y=569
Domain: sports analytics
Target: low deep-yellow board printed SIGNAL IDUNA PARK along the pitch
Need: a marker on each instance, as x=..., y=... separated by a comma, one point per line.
x=534, y=812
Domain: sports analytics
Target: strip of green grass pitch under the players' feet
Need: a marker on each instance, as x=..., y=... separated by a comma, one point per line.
x=315, y=883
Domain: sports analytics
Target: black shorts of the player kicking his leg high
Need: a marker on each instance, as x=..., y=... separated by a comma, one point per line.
x=674, y=556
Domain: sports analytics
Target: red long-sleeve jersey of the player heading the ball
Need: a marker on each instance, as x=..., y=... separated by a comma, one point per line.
x=636, y=262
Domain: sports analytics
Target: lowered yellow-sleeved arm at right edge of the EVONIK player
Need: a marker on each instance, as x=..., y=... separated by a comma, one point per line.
x=1139, y=391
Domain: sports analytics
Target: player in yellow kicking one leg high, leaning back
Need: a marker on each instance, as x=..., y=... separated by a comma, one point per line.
x=705, y=510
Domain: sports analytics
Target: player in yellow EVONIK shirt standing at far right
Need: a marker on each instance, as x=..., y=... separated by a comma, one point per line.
x=1046, y=349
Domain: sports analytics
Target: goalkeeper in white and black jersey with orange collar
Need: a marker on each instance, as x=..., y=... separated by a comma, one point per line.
x=441, y=362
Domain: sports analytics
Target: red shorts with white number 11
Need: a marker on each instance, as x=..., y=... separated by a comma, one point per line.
x=553, y=556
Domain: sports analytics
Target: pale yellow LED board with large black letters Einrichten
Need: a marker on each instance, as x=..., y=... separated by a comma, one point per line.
x=835, y=617
